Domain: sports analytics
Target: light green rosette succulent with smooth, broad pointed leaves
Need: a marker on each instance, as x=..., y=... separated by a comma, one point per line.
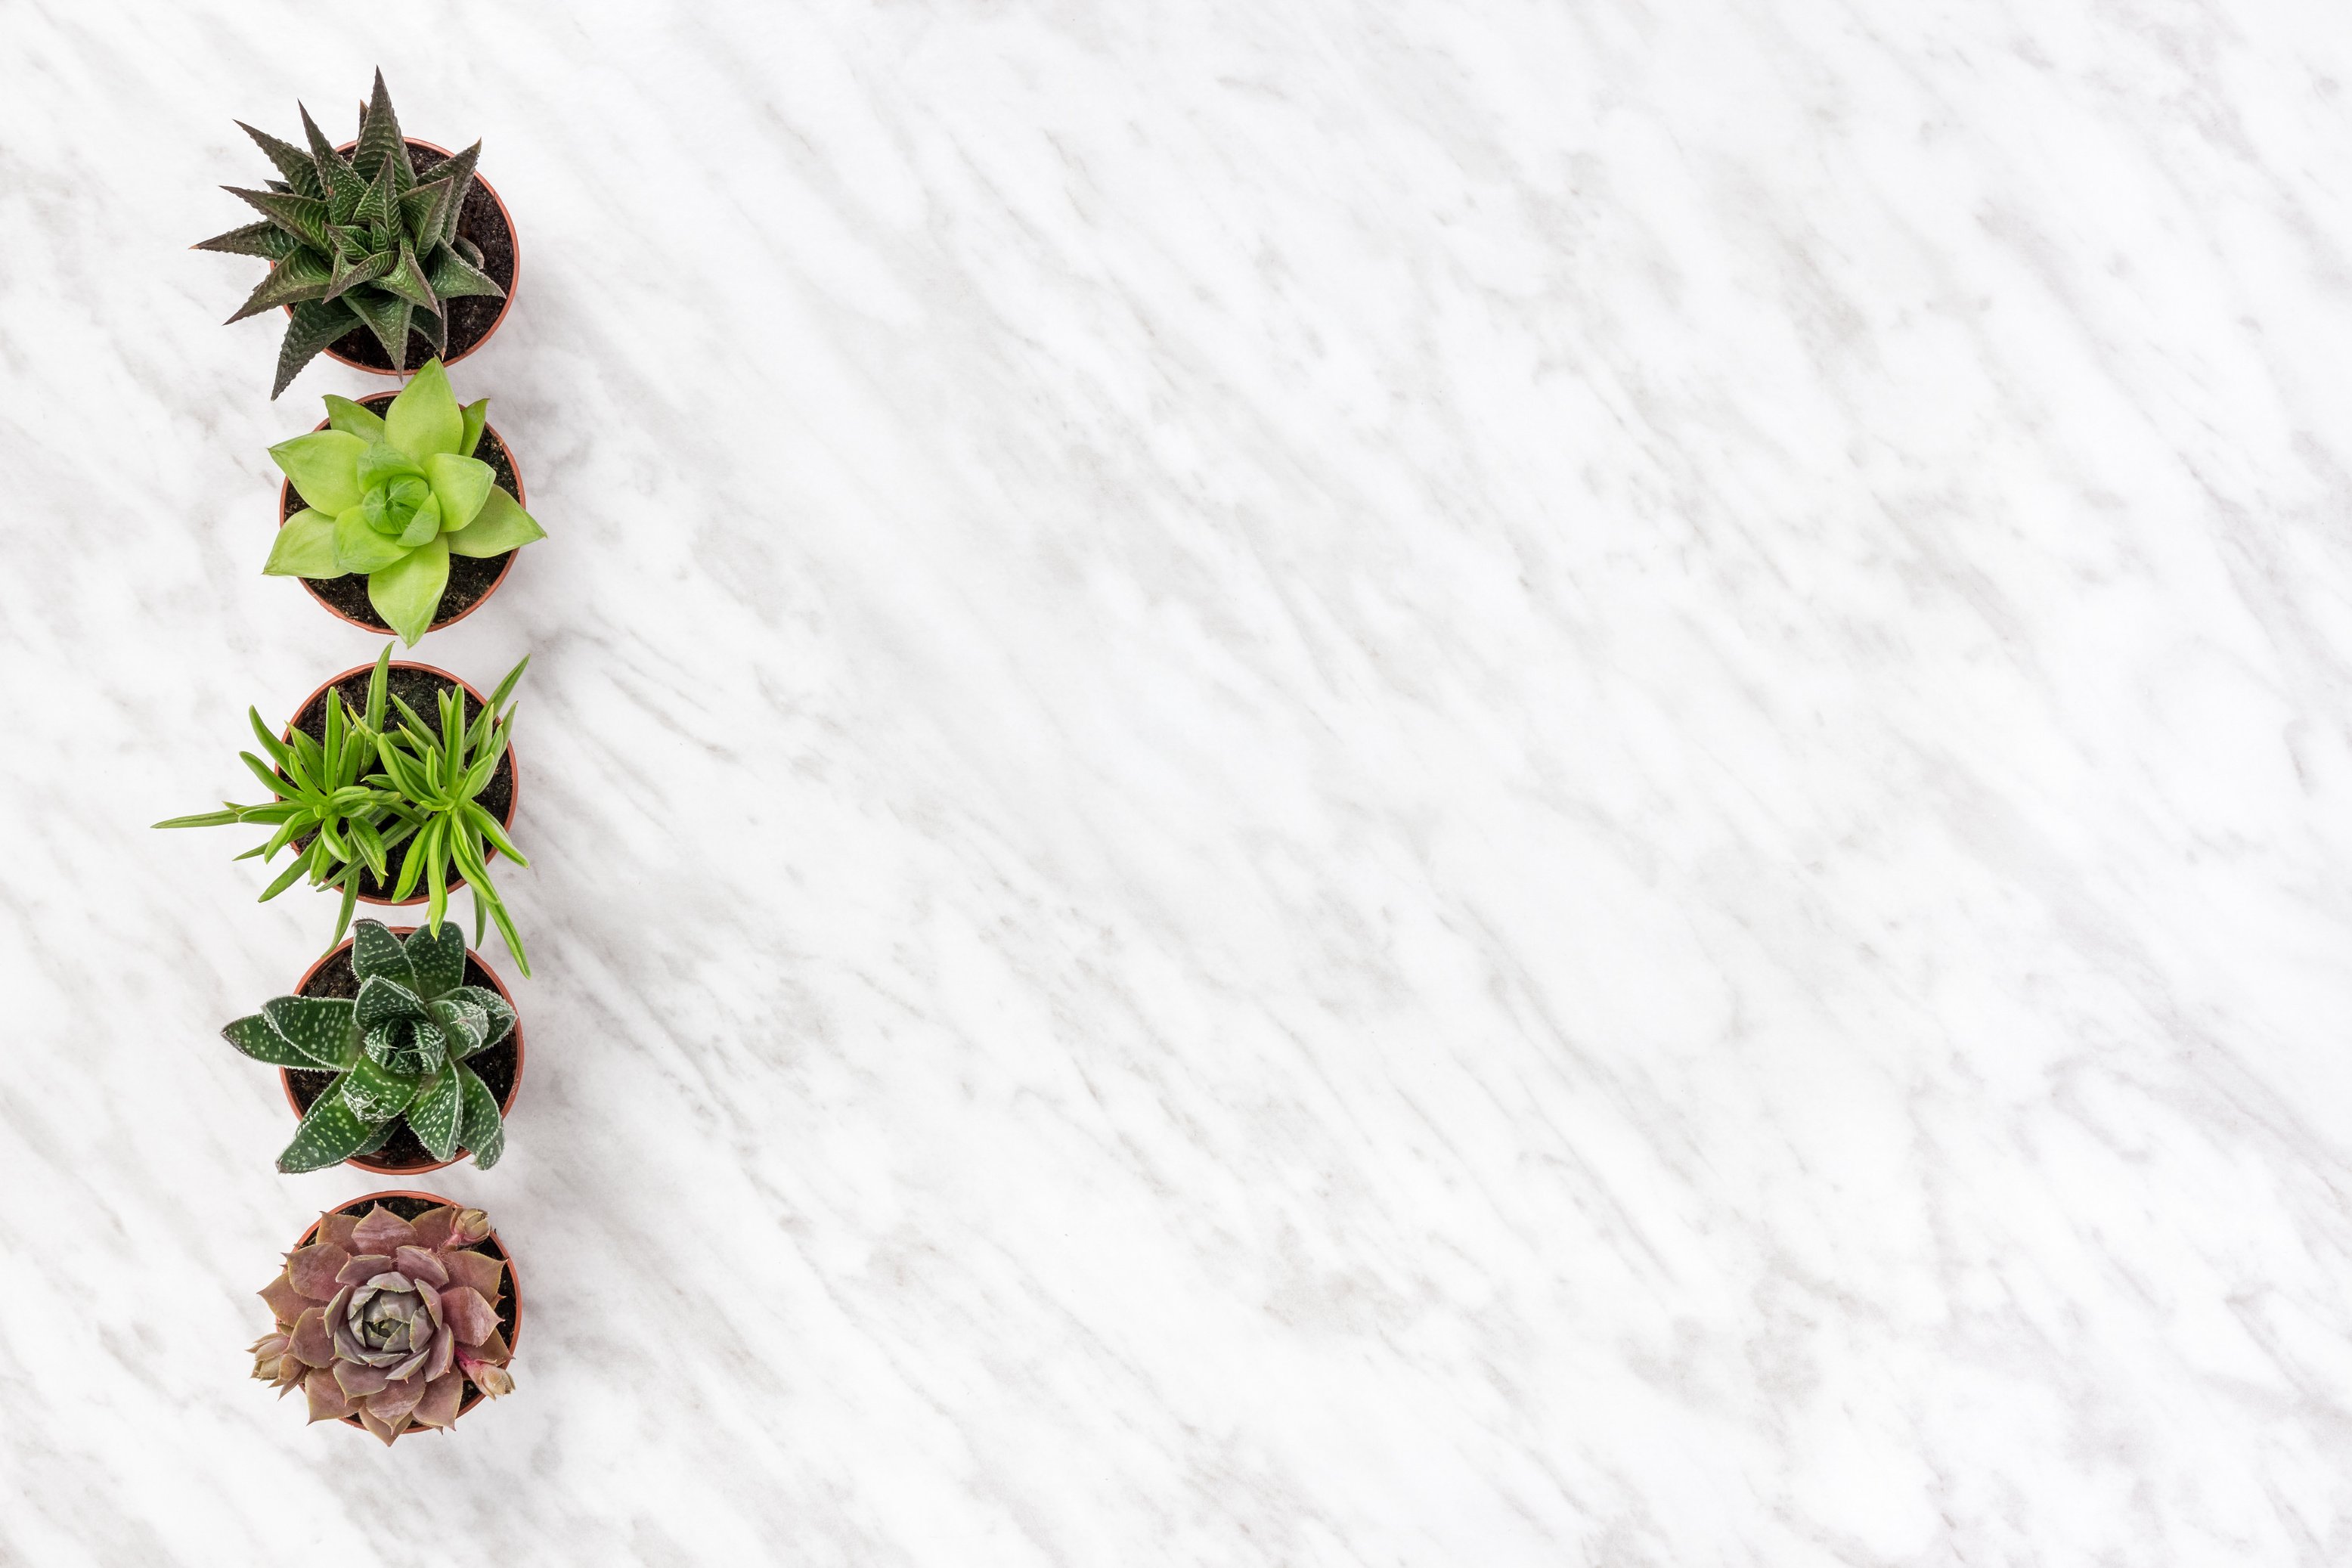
x=394, y=497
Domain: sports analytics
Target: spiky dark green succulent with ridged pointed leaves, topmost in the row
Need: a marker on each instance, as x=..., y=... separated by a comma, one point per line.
x=356, y=241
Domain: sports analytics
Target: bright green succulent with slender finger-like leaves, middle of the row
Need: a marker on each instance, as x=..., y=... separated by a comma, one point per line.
x=422, y=800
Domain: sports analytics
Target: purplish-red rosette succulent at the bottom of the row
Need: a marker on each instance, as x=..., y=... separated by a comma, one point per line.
x=387, y=1320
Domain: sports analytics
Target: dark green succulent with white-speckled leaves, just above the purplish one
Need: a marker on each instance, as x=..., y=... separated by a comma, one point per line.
x=399, y=1052
